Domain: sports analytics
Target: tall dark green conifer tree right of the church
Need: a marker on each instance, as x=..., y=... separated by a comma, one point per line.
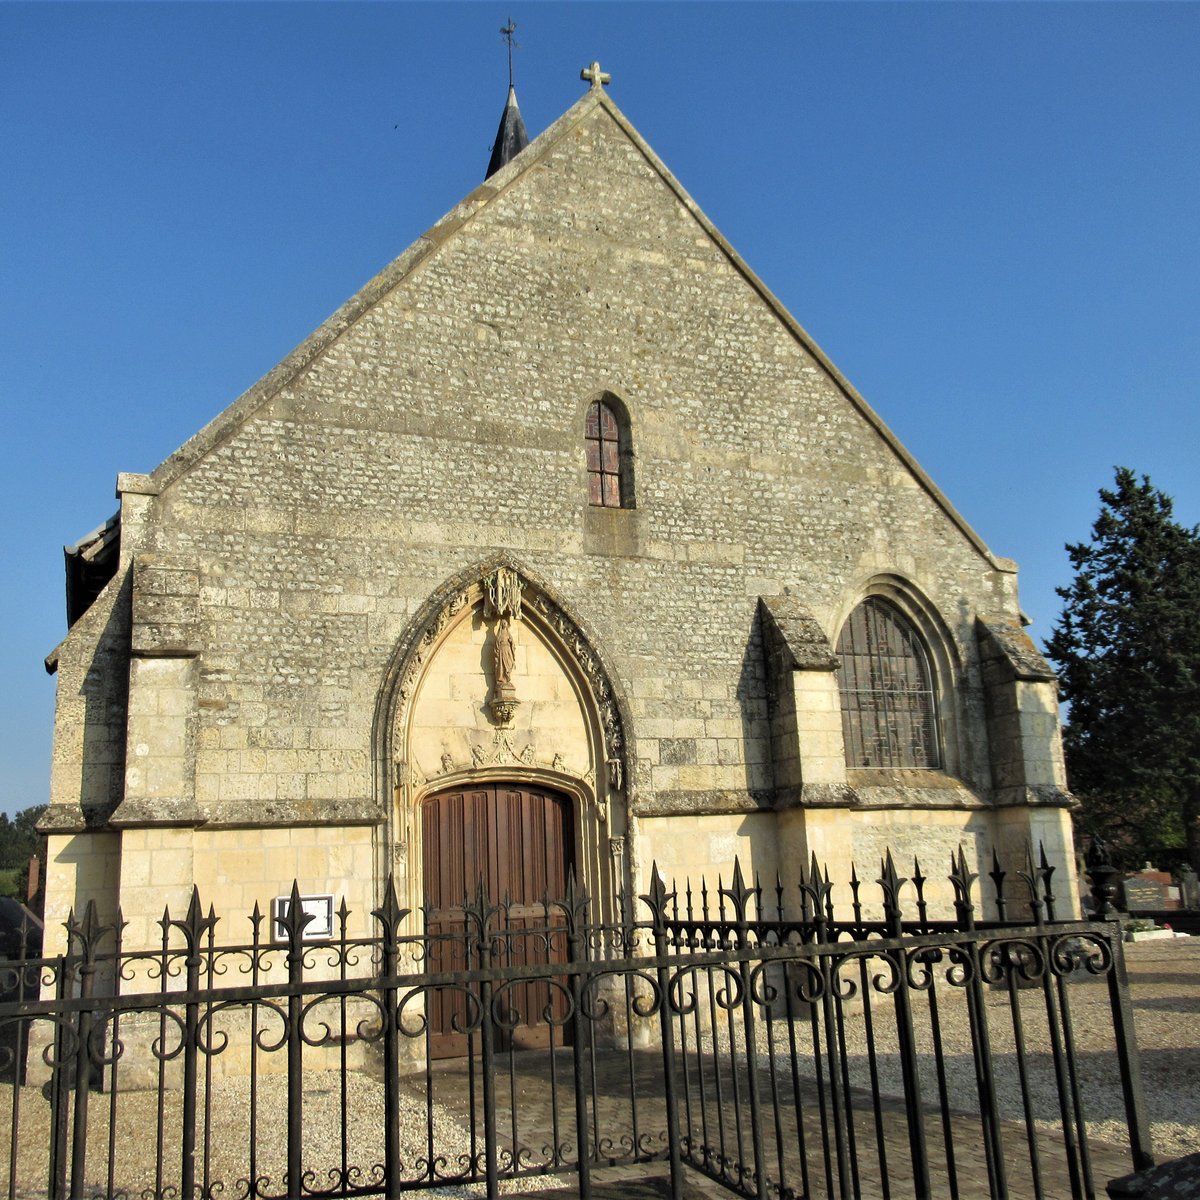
x=1127, y=647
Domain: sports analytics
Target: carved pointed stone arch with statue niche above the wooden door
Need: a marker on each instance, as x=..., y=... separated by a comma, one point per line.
x=491, y=625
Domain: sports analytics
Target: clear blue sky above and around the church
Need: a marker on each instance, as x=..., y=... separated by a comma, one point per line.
x=986, y=214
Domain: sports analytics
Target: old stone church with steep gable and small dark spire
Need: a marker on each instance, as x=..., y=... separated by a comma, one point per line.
x=560, y=547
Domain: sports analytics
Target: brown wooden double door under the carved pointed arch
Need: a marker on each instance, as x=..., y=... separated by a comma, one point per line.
x=519, y=842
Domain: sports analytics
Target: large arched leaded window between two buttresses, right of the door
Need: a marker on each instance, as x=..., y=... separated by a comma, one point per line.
x=889, y=715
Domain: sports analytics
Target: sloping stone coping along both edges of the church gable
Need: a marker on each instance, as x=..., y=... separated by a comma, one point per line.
x=397, y=273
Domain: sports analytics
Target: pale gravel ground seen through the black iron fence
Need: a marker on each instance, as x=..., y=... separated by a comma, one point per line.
x=1165, y=989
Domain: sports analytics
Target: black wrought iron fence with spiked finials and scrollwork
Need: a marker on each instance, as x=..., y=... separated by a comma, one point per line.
x=741, y=1031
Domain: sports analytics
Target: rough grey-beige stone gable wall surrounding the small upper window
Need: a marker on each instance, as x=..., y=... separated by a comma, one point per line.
x=447, y=423
